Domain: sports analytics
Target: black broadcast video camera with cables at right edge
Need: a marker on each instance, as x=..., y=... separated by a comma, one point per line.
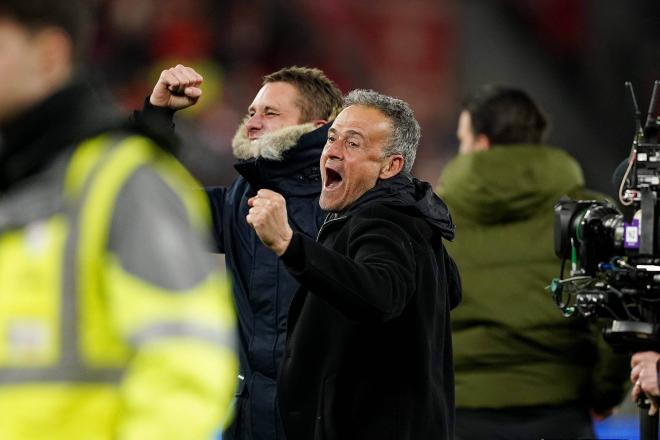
x=614, y=254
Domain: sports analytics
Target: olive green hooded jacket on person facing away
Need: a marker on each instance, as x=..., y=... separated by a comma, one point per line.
x=512, y=345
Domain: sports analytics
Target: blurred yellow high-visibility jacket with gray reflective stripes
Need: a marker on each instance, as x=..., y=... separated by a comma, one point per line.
x=88, y=350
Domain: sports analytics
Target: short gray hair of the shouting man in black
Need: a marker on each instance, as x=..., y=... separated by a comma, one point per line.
x=405, y=128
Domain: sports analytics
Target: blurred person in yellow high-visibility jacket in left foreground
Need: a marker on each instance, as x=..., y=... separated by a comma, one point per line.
x=113, y=322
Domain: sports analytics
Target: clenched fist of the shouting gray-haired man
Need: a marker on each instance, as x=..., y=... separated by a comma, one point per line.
x=267, y=215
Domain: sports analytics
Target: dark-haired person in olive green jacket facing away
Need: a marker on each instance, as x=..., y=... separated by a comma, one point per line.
x=522, y=370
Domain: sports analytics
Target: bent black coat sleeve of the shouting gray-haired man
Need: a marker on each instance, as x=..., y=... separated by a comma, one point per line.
x=373, y=282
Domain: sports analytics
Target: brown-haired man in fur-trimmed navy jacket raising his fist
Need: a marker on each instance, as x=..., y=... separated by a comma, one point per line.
x=277, y=147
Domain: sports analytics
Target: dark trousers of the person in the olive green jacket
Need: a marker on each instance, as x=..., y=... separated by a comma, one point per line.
x=528, y=423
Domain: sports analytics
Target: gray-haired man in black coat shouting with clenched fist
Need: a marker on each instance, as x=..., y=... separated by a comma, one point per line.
x=368, y=352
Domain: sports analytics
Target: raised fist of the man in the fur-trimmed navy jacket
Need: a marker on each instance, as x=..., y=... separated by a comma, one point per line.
x=177, y=88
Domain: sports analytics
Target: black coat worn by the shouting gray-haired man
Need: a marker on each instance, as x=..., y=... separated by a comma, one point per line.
x=369, y=345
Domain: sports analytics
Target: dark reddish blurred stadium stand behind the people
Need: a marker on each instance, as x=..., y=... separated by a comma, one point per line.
x=573, y=56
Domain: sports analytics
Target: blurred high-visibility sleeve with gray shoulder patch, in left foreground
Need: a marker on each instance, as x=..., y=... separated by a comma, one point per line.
x=173, y=309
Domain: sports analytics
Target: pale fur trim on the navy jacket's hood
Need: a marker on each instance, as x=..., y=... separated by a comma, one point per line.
x=271, y=145
